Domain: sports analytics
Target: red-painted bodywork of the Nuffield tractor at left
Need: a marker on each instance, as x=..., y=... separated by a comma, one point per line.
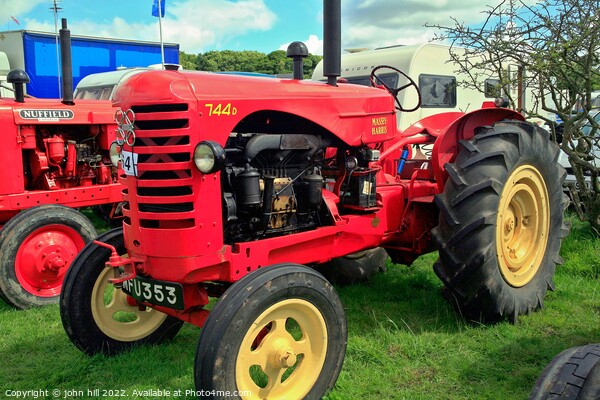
x=28, y=177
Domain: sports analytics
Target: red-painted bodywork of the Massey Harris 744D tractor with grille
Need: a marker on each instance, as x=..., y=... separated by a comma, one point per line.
x=187, y=246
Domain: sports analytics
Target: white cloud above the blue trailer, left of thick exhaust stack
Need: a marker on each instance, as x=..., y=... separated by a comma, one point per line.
x=194, y=24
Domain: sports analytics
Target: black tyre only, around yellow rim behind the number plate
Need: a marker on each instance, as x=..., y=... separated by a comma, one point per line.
x=75, y=303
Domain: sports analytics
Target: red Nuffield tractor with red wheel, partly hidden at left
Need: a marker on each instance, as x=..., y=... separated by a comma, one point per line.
x=55, y=158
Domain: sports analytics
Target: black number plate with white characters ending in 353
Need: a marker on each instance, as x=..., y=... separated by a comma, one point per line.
x=160, y=293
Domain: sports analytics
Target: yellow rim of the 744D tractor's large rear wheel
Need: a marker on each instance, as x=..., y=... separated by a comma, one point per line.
x=522, y=225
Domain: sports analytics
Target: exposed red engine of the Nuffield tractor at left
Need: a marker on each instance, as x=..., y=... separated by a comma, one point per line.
x=65, y=160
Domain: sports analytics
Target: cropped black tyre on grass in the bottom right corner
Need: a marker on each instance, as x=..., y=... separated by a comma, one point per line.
x=566, y=376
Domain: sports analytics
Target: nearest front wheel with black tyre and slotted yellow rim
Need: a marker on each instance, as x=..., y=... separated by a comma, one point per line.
x=279, y=333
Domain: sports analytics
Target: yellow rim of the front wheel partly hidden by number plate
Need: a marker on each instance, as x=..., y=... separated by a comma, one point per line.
x=118, y=319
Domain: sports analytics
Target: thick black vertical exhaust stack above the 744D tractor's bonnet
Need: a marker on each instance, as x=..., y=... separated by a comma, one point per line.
x=332, y=40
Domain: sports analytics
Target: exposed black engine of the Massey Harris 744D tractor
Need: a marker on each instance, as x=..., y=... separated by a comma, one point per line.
x=272, y=185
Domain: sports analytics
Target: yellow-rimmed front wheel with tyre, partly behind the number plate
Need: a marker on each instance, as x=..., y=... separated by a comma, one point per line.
x=97, y=316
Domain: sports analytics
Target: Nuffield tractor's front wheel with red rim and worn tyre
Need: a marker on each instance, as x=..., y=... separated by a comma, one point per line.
x=36, y=248
